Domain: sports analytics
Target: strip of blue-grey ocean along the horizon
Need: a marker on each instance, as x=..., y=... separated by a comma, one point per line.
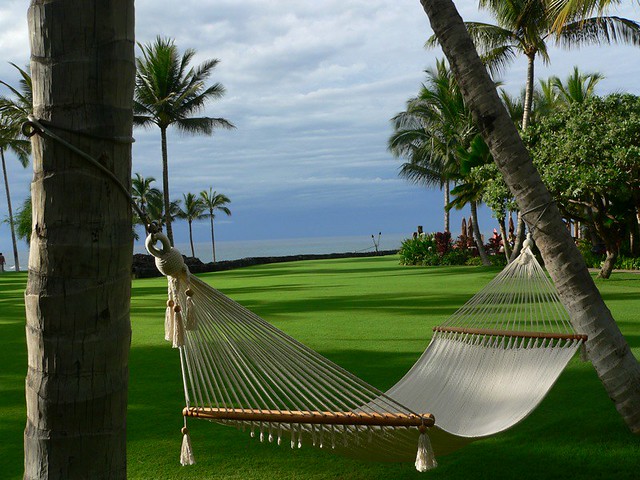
x=232, y=250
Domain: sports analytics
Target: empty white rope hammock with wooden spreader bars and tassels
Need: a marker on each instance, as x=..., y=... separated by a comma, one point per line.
x=486, y=368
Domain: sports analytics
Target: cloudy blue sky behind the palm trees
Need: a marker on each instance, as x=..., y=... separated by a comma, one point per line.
x=311, y=88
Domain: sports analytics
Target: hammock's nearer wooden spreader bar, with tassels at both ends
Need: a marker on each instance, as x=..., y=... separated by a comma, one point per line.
x=311, y=417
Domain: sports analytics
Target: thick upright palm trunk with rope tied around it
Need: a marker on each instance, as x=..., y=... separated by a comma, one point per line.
x=78, y=291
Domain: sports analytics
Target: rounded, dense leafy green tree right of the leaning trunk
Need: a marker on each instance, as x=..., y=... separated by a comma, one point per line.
x=588, y=157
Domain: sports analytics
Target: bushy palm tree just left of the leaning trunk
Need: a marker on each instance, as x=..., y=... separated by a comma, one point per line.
x=429, y=131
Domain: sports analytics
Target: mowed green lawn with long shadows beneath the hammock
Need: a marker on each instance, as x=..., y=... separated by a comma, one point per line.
x=370, y=315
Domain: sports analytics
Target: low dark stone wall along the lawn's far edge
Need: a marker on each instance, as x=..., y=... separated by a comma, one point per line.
x=144, y=265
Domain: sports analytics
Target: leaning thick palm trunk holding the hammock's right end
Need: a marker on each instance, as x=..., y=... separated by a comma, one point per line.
x=607, y=349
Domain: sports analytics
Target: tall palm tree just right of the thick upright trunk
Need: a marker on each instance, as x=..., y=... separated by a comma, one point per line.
x=169, y=92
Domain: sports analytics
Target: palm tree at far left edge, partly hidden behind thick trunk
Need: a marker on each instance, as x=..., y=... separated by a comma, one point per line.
x=13, y=112
